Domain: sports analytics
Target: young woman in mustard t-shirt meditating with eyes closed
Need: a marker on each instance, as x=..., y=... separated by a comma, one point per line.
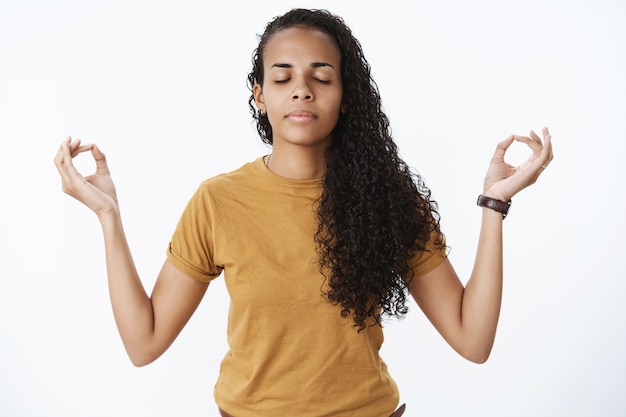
x=317, y=241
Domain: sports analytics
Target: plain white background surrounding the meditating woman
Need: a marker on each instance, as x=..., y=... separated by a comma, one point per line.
x=161, y=88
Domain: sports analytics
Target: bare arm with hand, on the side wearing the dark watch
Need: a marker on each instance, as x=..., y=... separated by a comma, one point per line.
x=467, y=317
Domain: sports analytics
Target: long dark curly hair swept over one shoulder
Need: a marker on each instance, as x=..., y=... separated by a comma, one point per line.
x=374, y=212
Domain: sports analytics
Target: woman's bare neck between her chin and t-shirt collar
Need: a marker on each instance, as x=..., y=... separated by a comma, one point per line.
x=297, y=163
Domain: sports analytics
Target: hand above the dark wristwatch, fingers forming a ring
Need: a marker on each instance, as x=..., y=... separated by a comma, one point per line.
x=503, y=180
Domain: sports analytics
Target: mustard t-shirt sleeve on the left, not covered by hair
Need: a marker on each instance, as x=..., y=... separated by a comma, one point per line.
x=191, y=248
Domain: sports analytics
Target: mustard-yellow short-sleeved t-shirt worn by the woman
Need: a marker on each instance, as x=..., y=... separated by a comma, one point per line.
x=291, y=352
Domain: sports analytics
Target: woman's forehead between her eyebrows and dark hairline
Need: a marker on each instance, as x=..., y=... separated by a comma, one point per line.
x=301, y=44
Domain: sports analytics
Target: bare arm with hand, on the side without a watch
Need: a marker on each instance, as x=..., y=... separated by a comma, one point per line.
x=147, y=325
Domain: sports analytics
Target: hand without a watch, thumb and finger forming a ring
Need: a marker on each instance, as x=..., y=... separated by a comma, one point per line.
x=96, y=191
